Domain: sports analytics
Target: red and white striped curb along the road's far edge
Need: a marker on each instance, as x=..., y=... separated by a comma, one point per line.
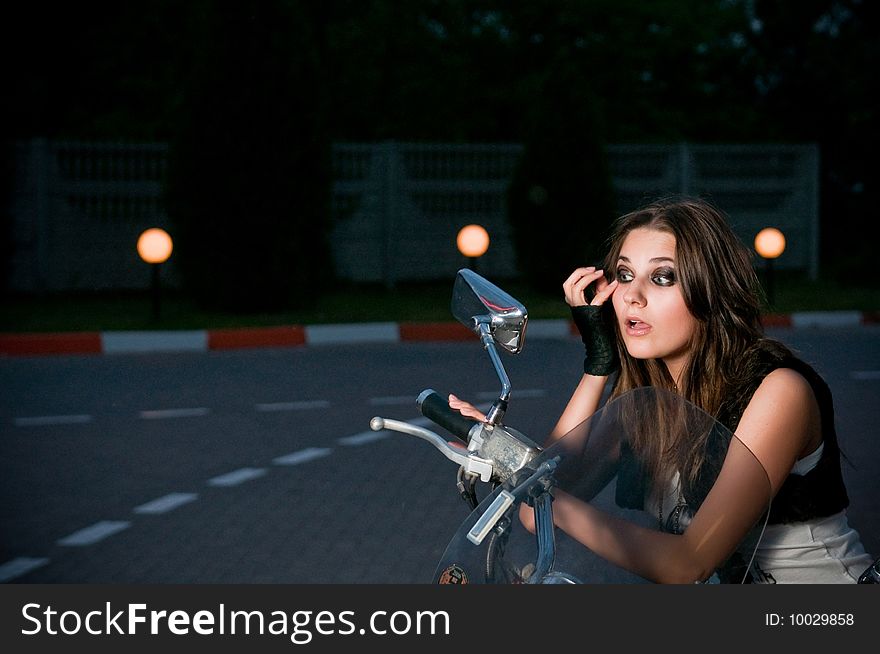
x=203, y=340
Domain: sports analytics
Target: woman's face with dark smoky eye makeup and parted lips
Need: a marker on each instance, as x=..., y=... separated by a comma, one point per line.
x=654, y=321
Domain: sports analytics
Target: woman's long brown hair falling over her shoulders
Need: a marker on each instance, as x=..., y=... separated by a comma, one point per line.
x=721, y=290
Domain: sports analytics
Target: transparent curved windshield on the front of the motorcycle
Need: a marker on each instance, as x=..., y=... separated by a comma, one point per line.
x=648, y=459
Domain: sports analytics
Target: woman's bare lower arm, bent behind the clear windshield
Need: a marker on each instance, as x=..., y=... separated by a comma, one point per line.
x=780, y=422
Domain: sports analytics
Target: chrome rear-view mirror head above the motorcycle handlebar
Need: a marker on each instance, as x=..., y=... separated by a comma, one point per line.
x=476, y=301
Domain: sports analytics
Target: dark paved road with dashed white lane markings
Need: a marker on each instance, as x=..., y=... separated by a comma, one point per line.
x=258, y=466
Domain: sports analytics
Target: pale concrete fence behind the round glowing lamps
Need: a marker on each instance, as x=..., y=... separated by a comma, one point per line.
x=78, y=207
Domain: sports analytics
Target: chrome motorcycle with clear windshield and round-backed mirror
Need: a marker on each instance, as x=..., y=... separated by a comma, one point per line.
x=610, y=461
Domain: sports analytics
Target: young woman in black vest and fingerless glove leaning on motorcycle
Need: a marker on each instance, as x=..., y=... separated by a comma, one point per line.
x=676, y=307
